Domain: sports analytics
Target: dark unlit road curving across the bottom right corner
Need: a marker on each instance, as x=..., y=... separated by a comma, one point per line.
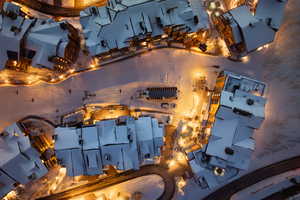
x=254, y=177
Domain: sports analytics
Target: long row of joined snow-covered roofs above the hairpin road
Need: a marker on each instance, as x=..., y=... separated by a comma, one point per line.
x=125, y=143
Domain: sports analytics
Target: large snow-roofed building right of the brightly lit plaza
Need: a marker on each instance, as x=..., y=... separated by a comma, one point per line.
x=237, y=109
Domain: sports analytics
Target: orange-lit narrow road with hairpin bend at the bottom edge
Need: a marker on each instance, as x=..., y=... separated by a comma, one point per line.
x=169, y=182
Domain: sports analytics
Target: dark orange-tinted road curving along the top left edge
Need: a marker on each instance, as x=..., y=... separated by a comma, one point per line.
x=53, y=10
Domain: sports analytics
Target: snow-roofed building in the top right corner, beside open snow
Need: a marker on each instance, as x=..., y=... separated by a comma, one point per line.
x=245, y=32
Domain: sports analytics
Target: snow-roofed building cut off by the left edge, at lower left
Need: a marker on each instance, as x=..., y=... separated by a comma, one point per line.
x=20, y=163
